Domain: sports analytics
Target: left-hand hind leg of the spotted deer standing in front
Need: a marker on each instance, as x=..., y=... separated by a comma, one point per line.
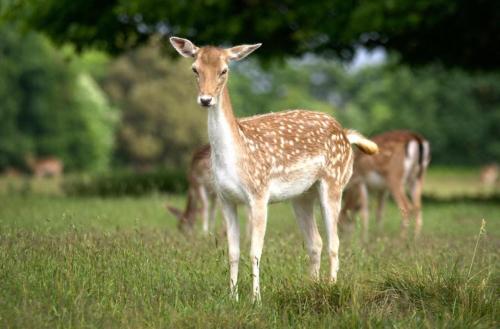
x=303, y=208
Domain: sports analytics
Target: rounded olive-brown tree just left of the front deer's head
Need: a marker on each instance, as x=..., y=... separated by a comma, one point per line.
x=160, y=122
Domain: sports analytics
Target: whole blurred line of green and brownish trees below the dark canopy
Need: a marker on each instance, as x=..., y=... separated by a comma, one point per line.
x=139, y=109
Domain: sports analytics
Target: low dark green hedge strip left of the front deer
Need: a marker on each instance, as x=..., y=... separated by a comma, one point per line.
x=127, y=183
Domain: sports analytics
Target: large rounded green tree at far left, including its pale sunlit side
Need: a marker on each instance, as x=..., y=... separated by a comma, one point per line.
x=48, y=108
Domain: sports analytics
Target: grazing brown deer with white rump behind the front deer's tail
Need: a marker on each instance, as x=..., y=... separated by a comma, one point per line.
x=400, y=164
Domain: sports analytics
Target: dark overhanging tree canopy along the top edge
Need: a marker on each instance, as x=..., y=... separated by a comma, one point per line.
x=462, y=33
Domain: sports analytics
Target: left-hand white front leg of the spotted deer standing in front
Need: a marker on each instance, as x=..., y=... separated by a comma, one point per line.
x=233, y=239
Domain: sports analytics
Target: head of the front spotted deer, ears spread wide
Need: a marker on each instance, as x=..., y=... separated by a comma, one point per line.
x=211, y=66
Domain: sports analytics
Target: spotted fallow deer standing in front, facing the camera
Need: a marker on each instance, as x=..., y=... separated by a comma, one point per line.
x=298, y=155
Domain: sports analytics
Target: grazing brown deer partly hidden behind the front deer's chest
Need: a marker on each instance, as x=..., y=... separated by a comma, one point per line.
x=201, y=190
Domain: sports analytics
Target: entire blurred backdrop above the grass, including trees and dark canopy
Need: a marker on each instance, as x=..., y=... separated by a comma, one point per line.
x=91, y=91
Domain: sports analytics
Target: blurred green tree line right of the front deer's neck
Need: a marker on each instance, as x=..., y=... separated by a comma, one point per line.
x=458, y=111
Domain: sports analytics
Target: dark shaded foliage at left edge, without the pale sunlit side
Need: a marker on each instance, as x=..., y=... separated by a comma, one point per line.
x=35, y=89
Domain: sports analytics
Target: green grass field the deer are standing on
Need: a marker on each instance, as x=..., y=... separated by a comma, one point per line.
x=120, y=263
